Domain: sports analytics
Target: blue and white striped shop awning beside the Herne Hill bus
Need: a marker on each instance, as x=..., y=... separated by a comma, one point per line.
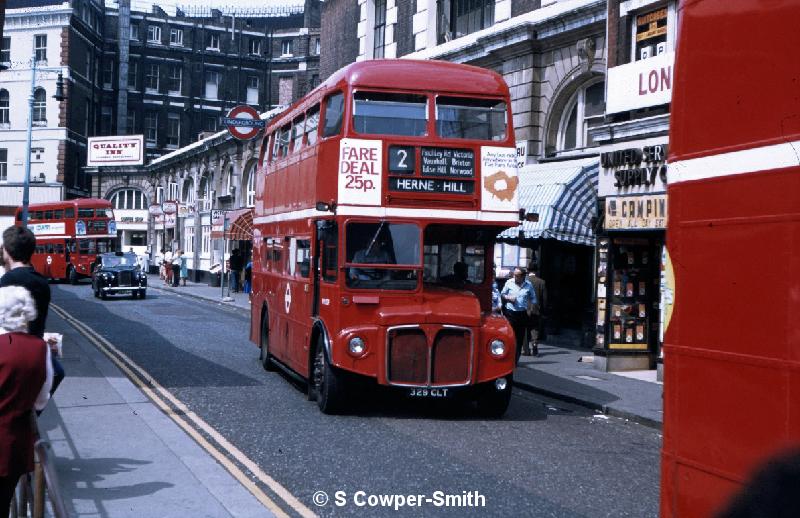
x=564, y=195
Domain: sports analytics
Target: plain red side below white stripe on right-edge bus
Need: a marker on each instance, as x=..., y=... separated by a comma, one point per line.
x=732, y=367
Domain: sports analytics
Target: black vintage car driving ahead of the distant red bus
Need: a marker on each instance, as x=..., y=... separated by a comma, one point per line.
x=118, y=272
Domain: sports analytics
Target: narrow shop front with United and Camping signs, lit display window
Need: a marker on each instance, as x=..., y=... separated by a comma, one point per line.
x=629, y=260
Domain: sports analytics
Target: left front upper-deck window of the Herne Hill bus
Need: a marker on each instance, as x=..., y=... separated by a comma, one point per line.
x=378, y=113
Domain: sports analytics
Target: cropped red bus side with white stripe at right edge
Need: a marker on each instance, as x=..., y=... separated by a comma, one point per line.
x=731, y=354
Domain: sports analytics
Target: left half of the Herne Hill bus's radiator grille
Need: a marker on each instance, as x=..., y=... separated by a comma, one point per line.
x=408, y=357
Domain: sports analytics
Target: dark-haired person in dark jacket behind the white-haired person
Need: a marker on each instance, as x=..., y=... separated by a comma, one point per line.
x=19, y=243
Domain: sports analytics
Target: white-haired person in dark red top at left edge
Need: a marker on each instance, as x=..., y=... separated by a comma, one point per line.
x=25, y=378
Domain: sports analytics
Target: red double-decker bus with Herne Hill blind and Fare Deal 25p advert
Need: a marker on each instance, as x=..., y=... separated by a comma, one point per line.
x=379, y=197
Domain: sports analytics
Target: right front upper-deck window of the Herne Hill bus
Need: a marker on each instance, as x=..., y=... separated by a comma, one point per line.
x=479, y=119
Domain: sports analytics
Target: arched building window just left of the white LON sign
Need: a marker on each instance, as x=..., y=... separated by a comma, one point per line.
x=584, y=111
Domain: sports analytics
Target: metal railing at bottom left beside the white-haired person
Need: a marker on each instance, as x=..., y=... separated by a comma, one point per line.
x=29, y=495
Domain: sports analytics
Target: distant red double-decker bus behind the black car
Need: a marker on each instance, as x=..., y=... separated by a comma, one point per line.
x=69, y=235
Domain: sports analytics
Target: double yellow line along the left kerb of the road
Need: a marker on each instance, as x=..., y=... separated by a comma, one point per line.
x=192, y=424
